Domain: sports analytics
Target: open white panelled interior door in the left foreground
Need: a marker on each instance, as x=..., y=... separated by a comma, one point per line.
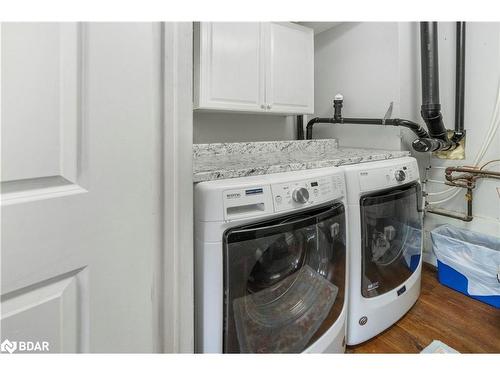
x=81, y=167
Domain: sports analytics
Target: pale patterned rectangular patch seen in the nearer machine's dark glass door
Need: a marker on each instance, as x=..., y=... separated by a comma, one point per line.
x=283, y=319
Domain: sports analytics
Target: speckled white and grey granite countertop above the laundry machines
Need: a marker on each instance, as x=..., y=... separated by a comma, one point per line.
x=217, y=161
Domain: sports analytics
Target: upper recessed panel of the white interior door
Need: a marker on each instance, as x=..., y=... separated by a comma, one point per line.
x=39, y=100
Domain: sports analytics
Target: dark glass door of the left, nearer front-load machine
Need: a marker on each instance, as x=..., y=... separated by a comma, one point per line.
x=284, y=281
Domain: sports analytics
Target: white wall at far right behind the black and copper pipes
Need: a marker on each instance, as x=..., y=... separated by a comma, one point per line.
x=482, y=79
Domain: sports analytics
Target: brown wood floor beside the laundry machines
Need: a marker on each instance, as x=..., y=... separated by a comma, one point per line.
x=467, y=325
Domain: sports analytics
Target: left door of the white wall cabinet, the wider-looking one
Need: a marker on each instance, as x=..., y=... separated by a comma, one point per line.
x=229, y=75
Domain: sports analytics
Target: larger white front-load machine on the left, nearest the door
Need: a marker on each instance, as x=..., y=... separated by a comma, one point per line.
x=271, y=263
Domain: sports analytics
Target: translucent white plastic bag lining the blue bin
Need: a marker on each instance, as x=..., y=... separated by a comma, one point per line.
x=475, y=255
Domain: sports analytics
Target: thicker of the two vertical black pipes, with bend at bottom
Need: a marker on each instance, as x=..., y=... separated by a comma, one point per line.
x=431, y=108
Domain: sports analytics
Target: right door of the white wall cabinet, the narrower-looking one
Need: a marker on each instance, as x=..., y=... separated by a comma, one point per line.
x=289, y=68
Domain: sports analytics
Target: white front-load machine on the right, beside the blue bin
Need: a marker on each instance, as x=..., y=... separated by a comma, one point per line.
x=385, y=244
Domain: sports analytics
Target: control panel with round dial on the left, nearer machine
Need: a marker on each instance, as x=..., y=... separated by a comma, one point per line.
x=302, y=193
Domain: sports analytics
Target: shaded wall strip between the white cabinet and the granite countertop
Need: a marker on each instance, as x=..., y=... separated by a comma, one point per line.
x=237, y=127
